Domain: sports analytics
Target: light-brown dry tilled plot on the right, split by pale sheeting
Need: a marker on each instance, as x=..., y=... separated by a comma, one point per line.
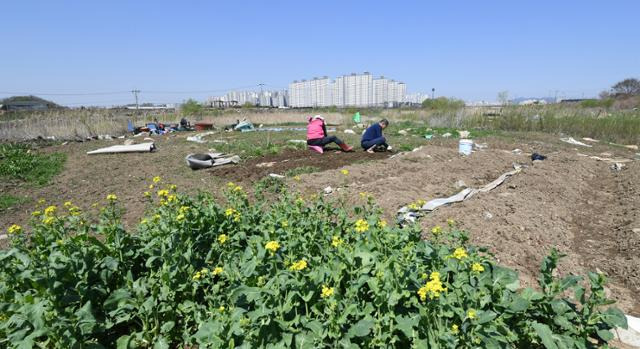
x=576, y=204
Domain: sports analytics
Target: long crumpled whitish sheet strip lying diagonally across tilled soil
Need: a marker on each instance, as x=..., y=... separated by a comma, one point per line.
x=409, y=215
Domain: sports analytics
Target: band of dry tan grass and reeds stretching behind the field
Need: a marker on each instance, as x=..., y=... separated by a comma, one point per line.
x=613, y=125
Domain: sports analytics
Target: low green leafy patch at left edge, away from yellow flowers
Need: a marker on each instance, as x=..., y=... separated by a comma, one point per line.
x=21, y=162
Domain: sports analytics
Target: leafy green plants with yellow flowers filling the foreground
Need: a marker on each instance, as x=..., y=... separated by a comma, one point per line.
x=299, y=272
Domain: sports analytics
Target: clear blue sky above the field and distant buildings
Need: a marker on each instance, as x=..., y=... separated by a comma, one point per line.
x=175, y=50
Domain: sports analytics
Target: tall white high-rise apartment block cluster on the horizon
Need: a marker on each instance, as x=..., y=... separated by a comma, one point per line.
x=358, y=90
